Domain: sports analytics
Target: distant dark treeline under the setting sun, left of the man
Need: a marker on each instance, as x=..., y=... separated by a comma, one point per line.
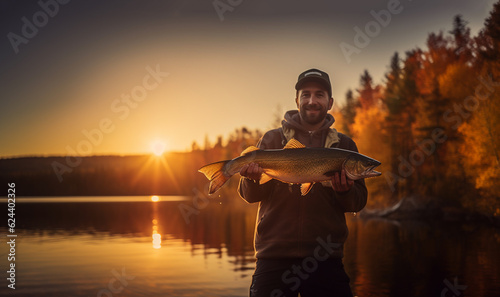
x=171, y=174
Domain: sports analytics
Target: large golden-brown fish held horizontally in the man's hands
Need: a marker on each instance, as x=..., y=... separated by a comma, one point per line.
x=293, y=164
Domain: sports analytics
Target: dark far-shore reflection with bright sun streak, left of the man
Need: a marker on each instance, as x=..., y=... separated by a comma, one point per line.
x=218, y=228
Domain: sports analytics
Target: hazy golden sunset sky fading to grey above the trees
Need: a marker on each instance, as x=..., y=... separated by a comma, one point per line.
x=132, y=77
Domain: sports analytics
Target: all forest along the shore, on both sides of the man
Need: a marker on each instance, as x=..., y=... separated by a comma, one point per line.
x=434, y=123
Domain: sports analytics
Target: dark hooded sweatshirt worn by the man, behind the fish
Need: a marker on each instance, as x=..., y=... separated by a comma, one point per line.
x=290, y=225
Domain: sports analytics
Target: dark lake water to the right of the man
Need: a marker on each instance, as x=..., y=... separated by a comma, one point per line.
x=419, y=258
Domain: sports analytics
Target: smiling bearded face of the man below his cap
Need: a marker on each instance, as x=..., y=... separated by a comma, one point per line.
x=313, y=103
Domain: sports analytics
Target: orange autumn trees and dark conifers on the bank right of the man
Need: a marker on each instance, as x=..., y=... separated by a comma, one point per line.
x=434, y=122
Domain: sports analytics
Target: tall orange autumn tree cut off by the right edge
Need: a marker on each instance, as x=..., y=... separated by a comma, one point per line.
x=481, y=145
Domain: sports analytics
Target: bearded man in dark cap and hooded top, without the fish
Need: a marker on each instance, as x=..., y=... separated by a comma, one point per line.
x=299, y=239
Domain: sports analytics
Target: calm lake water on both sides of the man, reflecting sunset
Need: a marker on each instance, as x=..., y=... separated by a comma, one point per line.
x=177, y=246
